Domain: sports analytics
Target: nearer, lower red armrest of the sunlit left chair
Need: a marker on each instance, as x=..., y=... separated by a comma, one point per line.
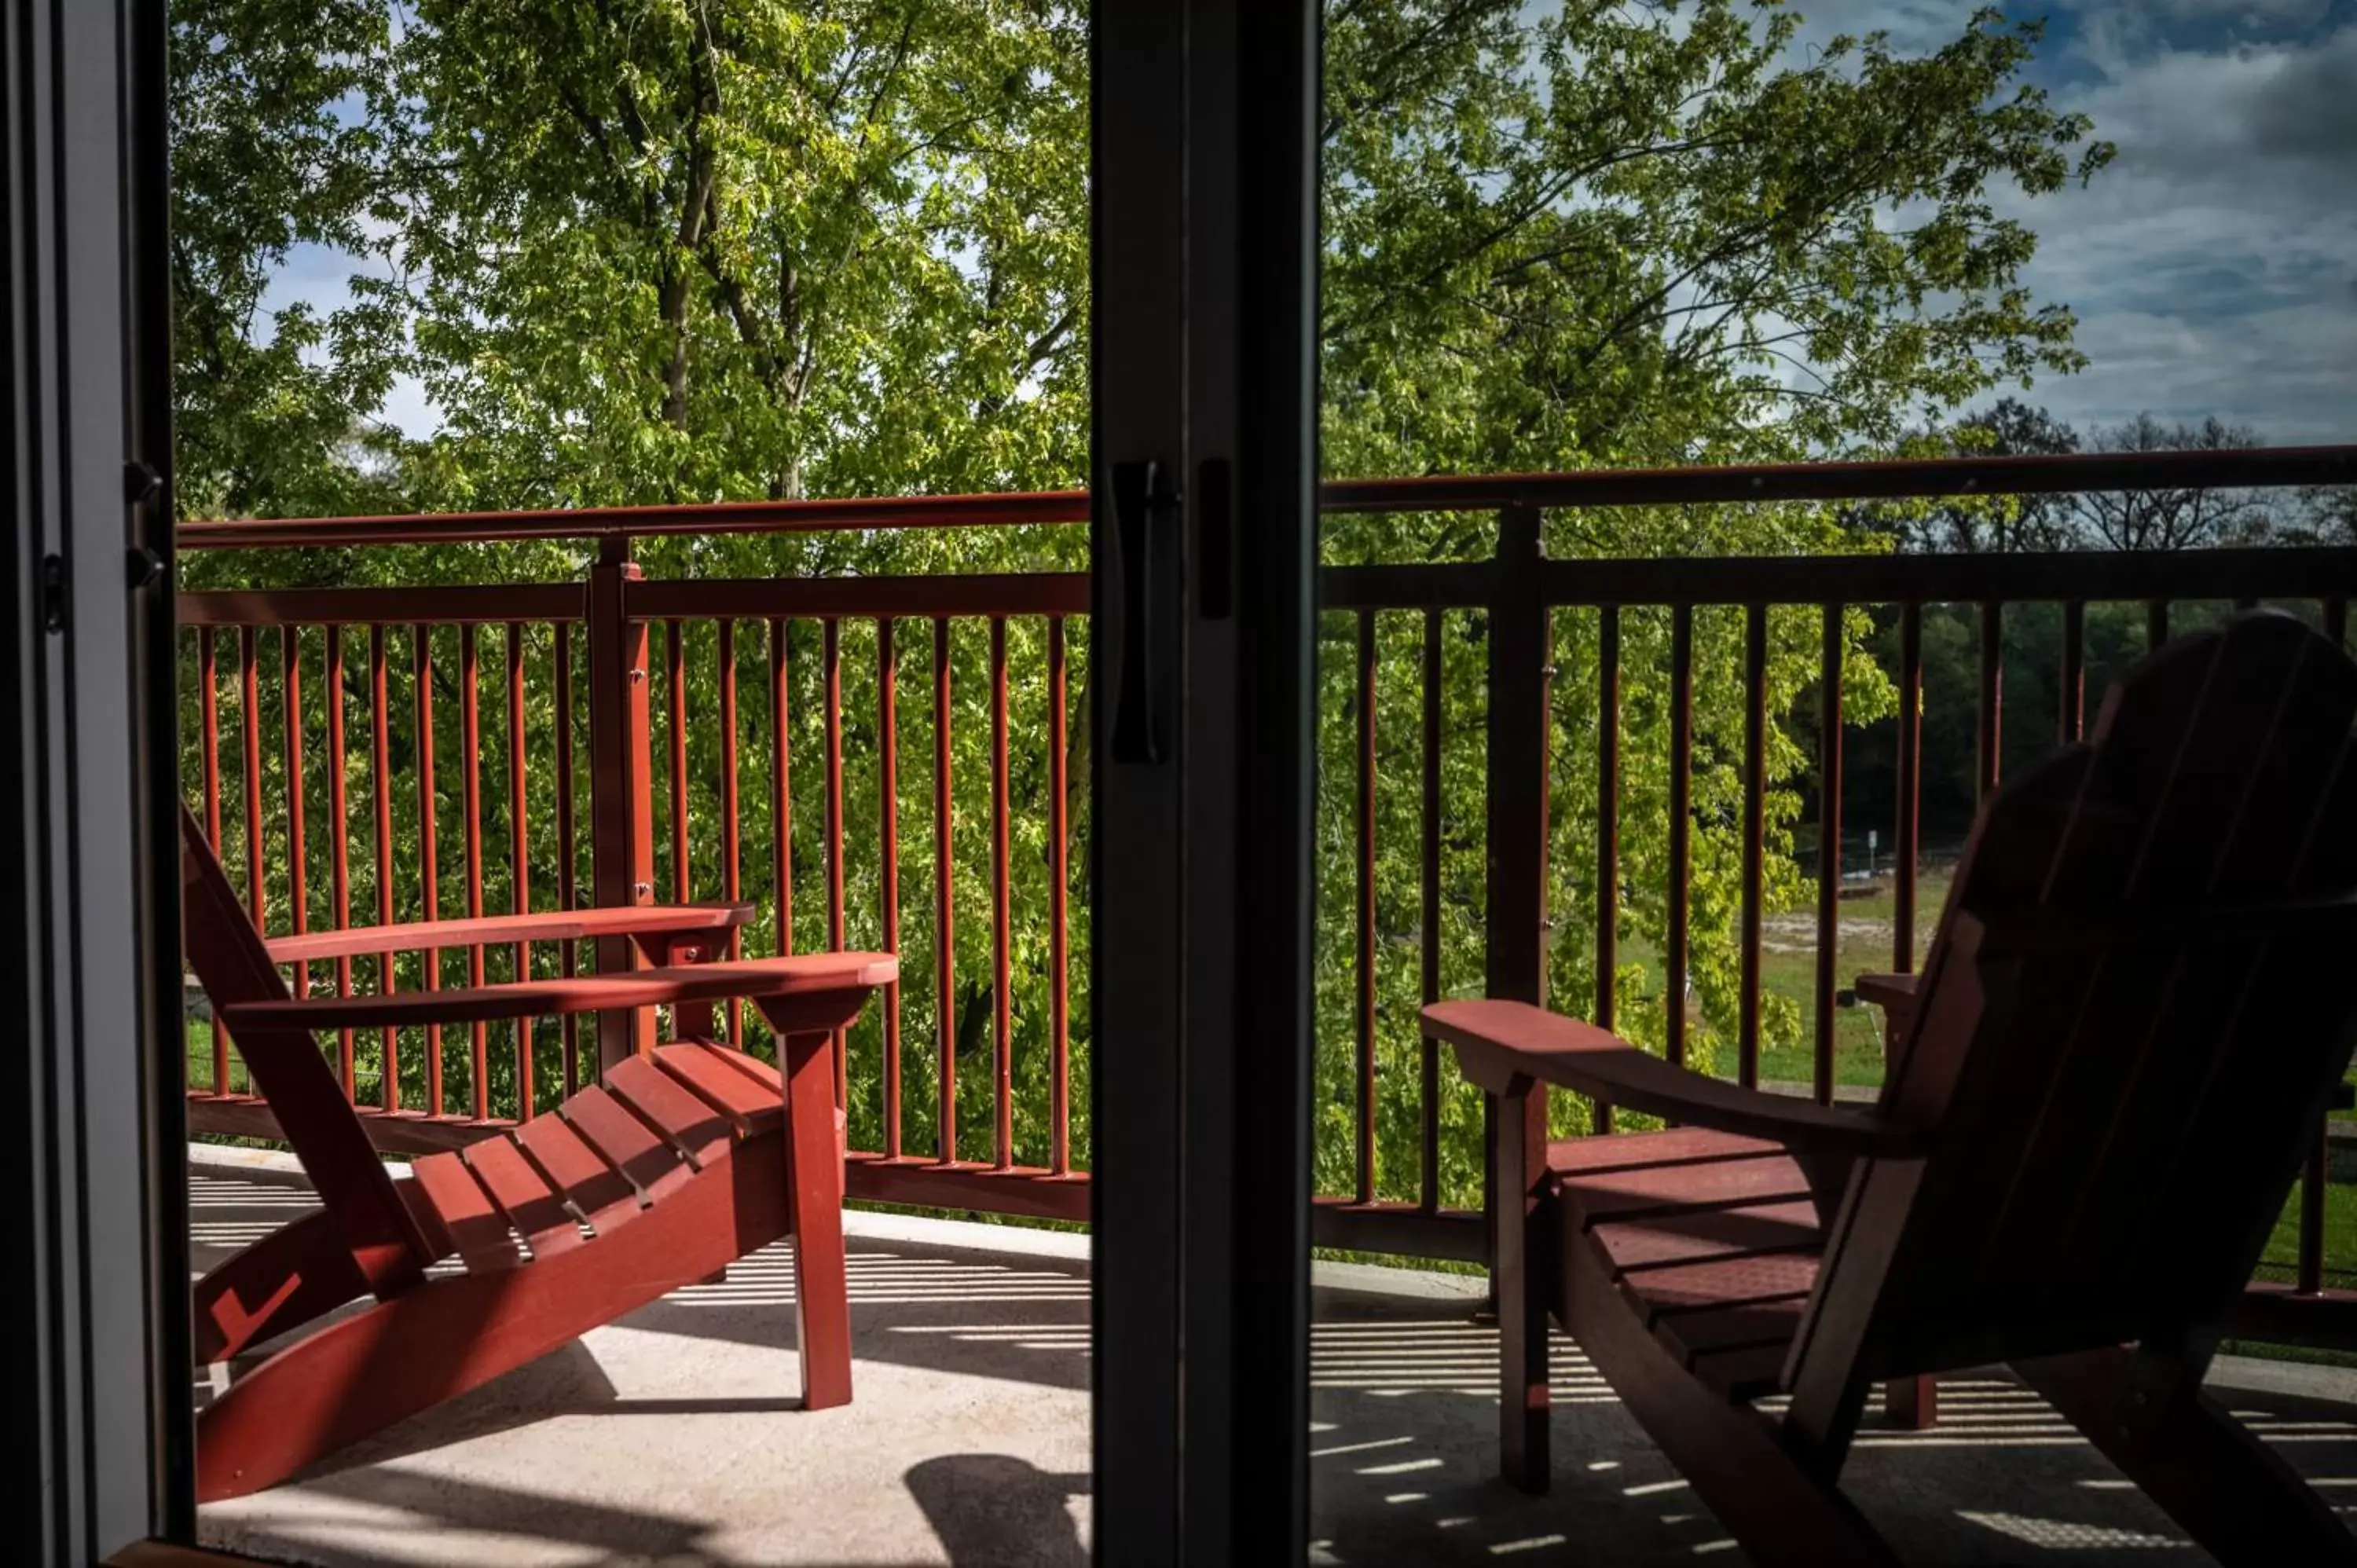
x=762, y=980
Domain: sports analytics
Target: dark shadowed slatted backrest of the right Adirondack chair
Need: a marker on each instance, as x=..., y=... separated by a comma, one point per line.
x=2118, y=1131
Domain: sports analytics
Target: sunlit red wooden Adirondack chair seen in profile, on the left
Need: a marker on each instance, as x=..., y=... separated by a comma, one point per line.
x=685, y=1161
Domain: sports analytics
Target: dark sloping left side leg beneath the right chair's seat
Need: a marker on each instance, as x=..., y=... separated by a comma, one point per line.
x=1738, y=1465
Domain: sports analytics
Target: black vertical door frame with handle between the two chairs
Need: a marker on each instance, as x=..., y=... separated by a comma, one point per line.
x=1203, y=543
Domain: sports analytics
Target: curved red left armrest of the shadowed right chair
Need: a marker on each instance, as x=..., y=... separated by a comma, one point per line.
x=1510, y=1046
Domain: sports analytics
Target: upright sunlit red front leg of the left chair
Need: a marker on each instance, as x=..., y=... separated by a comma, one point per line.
x=817, y=1194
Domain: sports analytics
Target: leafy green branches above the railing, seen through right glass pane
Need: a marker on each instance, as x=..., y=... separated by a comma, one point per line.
x=1653, y=235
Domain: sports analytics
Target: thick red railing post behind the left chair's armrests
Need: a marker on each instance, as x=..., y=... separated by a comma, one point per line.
x=621, y=765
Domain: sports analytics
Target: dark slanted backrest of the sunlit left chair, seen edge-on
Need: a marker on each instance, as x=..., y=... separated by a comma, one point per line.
x=296, y=1079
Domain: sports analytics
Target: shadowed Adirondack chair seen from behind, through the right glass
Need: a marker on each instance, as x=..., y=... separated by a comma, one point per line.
x=2137, y=1010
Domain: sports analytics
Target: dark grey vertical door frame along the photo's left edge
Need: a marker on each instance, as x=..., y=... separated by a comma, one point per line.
x=91, y=1098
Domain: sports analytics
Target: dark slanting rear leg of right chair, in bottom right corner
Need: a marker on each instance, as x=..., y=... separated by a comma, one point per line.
x=2221, y=1484
